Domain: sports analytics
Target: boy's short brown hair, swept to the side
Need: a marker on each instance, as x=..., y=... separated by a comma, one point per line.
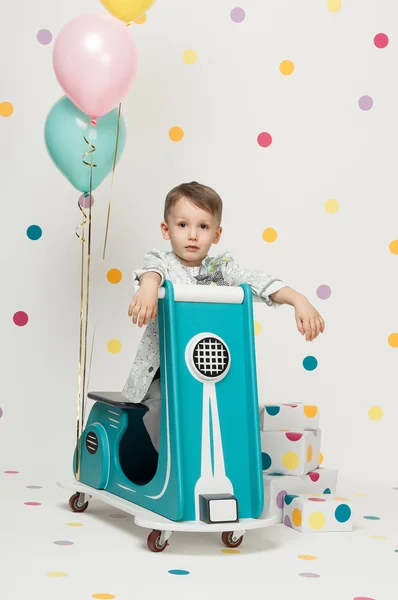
x=202, y=196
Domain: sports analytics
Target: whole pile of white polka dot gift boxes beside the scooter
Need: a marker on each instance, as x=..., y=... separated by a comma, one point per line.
x=291, y=458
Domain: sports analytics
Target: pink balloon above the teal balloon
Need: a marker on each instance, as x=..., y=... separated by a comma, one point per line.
x=95, y=61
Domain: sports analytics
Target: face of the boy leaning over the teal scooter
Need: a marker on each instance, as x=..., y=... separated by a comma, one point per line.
x=191, y=232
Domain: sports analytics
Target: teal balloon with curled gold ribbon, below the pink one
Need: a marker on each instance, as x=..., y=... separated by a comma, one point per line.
x=64, y=135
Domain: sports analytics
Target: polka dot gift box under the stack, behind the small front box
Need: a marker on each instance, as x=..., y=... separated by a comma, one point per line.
x=276, y=486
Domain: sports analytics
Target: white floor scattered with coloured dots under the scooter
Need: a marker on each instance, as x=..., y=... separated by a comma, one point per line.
x=50, y=553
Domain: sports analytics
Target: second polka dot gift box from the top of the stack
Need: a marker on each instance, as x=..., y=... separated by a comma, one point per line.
x=291, y=452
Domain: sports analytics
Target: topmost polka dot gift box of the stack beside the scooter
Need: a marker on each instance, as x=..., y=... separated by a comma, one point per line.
x=288, y=416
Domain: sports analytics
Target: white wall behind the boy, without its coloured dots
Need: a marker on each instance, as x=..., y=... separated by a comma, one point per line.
x=324, y=146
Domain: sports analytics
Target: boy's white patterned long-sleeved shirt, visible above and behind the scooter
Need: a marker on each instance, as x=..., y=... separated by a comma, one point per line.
x=223, y=267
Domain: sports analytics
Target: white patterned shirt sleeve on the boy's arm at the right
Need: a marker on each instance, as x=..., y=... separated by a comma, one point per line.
x=261, y=283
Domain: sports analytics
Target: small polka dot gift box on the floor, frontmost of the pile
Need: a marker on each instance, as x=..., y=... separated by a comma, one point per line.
x=323, y=513
